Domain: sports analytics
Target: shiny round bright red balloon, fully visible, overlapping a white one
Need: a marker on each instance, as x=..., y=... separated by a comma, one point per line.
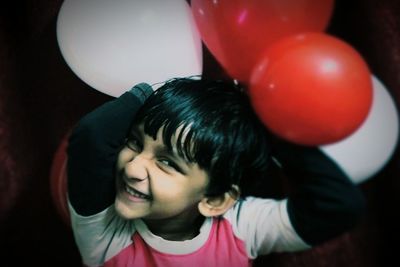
x=311, y=89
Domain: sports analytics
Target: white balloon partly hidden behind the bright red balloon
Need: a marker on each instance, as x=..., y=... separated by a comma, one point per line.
x=365, y=152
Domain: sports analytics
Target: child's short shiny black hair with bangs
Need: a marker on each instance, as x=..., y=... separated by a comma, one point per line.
x=220, y=131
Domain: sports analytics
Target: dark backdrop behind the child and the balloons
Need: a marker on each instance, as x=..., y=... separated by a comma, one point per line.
x=41, y=99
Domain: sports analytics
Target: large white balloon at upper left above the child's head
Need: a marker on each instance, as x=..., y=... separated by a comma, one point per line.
x=114, y=44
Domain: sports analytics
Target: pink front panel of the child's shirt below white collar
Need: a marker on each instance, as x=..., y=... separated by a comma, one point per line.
x=221, y=249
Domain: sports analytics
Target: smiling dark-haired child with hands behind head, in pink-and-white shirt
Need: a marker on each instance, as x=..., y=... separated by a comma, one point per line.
x=158, y=184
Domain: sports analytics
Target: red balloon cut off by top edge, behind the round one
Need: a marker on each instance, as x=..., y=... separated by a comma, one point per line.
x=237, y=31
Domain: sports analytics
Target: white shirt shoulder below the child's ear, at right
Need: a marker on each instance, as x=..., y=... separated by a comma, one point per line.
x=264, y=226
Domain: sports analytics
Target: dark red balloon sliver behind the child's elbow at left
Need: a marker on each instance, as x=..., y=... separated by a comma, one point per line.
x=58, y=181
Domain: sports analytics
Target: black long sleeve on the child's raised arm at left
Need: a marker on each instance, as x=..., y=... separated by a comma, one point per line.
x=93, y=149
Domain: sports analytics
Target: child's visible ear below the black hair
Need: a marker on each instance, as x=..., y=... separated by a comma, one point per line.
x=215, y=206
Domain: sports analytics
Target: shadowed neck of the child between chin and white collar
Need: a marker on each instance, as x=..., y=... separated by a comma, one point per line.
x=178, y=229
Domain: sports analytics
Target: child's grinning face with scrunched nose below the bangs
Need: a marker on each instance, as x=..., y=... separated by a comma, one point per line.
x=155, y=183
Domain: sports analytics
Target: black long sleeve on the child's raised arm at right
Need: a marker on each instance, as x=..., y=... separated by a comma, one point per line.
x=325, y=203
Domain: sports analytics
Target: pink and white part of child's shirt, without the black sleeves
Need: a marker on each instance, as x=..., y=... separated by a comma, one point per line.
x=252, y=227
